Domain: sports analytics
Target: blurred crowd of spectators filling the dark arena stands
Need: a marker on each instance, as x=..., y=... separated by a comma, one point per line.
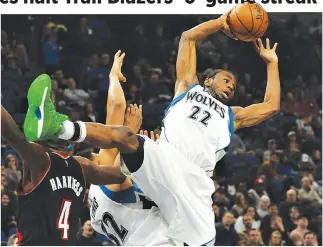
x=268, y=188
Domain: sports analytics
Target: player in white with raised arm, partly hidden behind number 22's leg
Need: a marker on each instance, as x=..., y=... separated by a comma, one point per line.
x=121, y=212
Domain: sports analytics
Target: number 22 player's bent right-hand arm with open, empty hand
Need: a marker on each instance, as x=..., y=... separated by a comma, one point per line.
x=257, y=113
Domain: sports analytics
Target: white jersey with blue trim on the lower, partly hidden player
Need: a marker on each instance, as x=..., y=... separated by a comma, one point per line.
x=120, y=217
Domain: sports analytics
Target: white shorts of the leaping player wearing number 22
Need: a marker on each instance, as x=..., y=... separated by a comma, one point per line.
x=178, y=187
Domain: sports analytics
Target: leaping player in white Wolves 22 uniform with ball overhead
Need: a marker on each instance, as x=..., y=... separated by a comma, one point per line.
x=173, y=171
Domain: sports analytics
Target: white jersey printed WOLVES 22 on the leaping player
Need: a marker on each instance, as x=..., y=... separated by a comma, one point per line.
x=199, y=126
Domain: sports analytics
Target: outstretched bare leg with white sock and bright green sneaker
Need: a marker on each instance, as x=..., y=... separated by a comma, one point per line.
x=43, y=122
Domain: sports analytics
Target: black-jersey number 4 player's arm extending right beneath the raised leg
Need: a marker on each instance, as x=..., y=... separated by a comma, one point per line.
x=99, y=175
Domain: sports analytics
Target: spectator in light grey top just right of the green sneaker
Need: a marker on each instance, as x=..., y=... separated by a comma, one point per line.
x=74, y=95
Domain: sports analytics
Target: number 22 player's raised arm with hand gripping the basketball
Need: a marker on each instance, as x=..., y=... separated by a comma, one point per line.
x=186, y=57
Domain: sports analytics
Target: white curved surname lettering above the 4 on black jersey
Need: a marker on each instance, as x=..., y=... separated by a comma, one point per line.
x=66, y=182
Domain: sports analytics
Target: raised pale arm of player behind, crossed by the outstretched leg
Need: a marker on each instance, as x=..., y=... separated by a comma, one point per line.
x=116, y=105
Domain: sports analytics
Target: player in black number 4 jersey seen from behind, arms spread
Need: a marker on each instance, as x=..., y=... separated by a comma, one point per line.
x=52, y=189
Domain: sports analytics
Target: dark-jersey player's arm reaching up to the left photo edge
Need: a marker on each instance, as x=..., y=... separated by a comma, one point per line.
x=33, y=154
